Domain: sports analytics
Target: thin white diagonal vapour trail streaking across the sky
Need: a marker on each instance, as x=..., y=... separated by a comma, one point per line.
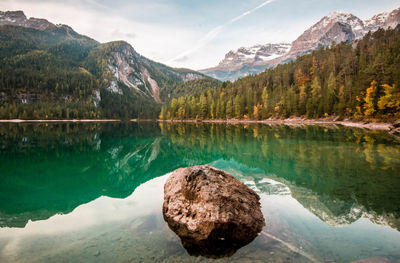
x=215, y=32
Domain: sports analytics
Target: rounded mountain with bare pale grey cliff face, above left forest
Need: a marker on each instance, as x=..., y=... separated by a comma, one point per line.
x=121, y=65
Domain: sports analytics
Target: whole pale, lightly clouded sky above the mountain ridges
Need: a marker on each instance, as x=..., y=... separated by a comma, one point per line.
x=192, y=34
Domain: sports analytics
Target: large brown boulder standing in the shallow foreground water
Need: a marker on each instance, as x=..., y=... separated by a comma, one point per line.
x=212, y=212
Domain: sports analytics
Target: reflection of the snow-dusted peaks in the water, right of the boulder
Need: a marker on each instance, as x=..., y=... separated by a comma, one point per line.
x=331, y=208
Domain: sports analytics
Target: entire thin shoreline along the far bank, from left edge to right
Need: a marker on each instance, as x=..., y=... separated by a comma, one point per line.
x=385, y=126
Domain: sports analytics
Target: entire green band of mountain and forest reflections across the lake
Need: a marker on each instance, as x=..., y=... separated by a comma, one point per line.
x=339, y=174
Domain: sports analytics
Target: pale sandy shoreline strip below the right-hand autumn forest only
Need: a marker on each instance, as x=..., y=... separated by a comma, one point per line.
x=298, y=121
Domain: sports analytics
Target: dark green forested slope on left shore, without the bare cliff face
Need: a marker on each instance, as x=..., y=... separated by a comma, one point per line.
x=52, y=74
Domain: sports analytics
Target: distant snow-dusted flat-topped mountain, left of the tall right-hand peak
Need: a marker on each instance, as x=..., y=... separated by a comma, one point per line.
x=245, y=61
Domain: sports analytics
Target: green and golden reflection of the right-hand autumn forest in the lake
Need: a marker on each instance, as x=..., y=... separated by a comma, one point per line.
x=357, y=167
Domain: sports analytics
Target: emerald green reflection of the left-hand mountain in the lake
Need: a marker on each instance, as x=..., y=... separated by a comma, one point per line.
x=49, y=169
